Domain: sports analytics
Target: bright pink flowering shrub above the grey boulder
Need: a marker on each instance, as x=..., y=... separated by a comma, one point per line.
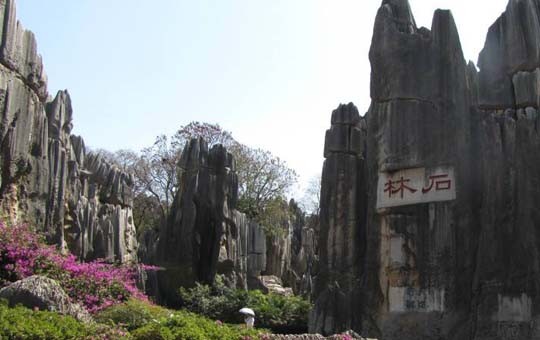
x=96, y=284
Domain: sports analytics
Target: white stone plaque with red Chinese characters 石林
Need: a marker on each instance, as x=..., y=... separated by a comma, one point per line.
x=414, y=186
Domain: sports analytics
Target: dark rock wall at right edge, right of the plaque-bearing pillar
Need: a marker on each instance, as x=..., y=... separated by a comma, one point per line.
x=507, y=276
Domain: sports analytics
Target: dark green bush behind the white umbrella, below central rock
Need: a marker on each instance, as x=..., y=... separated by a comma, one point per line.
x=279, y=313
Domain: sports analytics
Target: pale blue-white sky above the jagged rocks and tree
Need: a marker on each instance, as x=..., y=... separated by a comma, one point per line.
x=271, y=72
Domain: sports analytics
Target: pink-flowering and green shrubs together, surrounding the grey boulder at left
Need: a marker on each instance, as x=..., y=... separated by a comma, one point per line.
x=120, y=310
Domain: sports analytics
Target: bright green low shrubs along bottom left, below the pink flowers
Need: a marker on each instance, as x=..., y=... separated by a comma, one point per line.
x=134, y=319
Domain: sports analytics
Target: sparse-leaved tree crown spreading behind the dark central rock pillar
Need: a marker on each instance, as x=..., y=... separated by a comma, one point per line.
x=263, y=178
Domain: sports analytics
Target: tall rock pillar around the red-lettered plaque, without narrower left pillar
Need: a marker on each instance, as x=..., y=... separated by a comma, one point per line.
x=420, y=258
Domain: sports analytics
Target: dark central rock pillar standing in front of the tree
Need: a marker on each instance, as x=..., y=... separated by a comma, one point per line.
x=205, y=234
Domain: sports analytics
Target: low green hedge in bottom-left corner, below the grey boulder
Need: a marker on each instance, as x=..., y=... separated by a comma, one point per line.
x=24, y=323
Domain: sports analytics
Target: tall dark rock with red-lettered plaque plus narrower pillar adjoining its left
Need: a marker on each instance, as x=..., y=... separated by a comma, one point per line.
x=398, y=250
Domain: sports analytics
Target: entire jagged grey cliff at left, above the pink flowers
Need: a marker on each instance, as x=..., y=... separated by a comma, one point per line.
x=77, y=199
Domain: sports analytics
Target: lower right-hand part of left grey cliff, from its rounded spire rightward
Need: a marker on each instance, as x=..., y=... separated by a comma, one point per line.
x=89, y=200
